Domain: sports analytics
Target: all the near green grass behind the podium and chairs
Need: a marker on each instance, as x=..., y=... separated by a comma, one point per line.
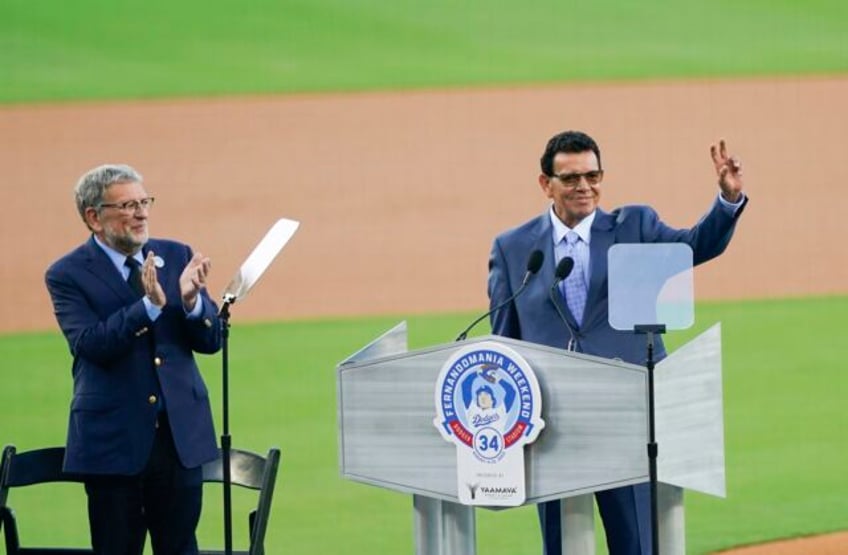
x=785, y=390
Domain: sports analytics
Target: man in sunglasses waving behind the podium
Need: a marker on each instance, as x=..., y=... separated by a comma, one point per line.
x=572, y=177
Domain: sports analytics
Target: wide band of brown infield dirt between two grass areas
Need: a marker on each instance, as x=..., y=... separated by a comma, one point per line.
x=400, y=195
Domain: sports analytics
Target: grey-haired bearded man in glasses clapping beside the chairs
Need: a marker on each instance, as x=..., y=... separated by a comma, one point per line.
x=134, y=310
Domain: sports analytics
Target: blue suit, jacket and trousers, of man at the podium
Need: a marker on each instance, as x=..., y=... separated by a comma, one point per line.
x=533, y=317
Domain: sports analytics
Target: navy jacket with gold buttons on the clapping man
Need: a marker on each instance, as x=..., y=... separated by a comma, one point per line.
x=125, y=366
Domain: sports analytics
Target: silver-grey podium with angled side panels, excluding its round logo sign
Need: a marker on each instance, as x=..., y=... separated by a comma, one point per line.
x=595, y=436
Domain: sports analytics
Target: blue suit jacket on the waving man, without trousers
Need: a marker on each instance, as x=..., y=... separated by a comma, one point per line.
x=533, y=317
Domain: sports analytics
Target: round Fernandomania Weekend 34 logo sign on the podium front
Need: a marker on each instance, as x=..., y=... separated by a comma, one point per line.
x=489, y=405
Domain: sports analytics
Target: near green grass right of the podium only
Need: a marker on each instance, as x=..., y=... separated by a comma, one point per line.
x=785, y=390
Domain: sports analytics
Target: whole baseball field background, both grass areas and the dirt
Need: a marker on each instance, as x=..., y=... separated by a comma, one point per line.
x=404, y=137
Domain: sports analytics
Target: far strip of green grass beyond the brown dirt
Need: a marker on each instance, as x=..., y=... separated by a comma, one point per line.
x=104, y=49
